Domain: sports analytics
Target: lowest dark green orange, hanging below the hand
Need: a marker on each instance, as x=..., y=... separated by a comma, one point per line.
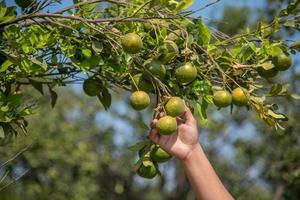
x=147, y=169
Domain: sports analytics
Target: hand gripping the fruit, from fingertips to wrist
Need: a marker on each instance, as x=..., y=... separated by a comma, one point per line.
x=181, y=143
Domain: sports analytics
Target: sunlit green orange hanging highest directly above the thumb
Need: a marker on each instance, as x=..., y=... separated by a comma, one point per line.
x=186, y=73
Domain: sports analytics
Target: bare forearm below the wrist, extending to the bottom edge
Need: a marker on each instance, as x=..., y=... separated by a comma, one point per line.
x=203, y=178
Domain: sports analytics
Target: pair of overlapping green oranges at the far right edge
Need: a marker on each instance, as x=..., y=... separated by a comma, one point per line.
x=278, y=63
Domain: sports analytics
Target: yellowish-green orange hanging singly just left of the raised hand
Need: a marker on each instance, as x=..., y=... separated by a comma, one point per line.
x=139, y=100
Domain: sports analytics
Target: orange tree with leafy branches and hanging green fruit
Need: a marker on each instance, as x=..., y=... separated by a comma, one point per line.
x=155, y=48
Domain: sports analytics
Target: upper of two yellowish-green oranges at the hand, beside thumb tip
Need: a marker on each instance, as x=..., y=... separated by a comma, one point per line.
x=175, y=107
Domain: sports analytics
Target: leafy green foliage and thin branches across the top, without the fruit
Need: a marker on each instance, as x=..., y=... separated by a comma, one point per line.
x=53, y=49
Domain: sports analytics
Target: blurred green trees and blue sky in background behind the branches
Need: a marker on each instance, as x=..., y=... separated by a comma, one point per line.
x=78, y=151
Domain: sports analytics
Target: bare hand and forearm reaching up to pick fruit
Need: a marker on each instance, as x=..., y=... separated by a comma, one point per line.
x=184, y=146
